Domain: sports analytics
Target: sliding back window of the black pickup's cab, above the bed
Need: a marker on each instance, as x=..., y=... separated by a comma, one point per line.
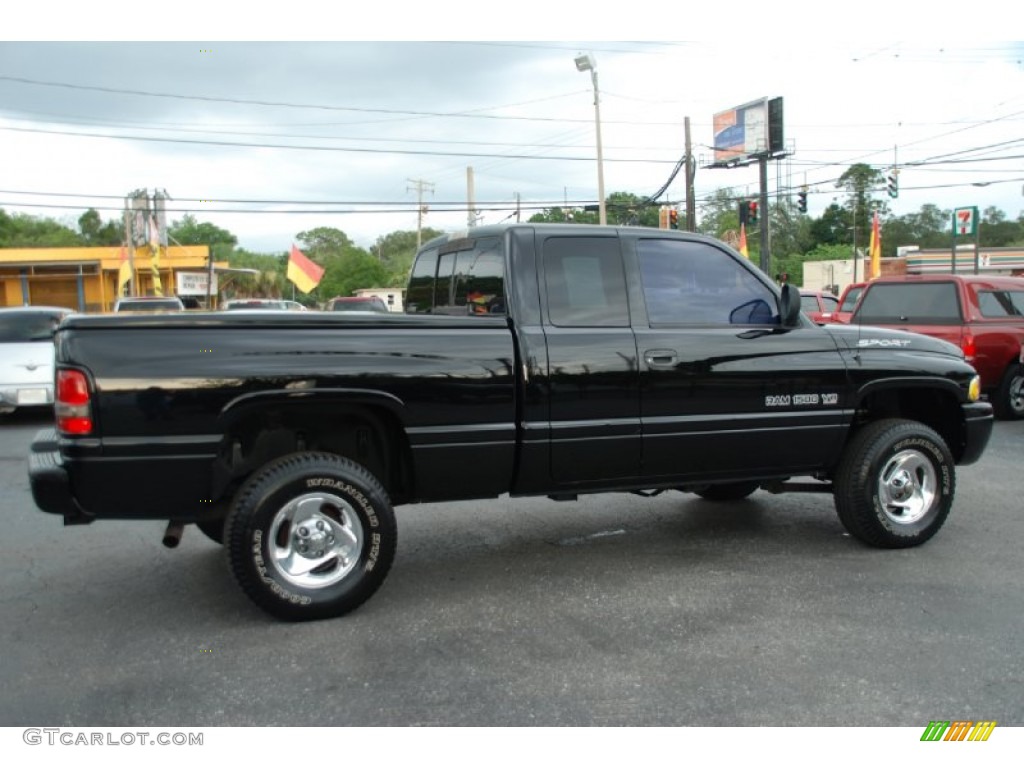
x=464, y=277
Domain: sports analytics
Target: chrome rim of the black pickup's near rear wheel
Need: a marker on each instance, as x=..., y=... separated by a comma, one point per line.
x=315, y=541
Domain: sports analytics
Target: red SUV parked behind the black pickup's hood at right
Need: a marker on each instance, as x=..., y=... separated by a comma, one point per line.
x=983, y=315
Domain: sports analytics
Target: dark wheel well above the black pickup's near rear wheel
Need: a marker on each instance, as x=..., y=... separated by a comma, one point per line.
x=370, y=437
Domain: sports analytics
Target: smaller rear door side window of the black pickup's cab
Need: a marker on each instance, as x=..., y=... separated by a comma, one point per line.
x=585, y=283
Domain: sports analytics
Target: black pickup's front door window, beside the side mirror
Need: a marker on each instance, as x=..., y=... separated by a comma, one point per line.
x=688, y=283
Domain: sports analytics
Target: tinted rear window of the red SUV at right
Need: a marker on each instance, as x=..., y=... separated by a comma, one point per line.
x=921, y=304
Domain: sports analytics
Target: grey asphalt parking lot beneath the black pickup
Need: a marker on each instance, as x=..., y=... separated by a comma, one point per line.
x=611, y=611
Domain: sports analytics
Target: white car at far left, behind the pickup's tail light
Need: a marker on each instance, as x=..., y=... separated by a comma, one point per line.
x=27, y=357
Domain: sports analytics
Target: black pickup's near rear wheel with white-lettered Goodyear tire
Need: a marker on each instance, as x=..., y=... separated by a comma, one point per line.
x=311, y=536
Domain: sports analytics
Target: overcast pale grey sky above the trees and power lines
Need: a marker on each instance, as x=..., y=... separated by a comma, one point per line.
x=246, y=135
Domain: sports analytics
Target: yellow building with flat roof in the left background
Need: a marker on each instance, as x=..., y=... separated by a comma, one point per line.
x=87, y=279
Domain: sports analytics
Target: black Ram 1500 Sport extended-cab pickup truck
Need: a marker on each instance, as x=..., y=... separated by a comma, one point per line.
x=532, y=360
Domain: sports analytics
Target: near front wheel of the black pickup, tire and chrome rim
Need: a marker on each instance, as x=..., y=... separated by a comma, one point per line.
x=895, y=484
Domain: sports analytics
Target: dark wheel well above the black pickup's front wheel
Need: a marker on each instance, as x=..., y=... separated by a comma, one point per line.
x=935, y=408
